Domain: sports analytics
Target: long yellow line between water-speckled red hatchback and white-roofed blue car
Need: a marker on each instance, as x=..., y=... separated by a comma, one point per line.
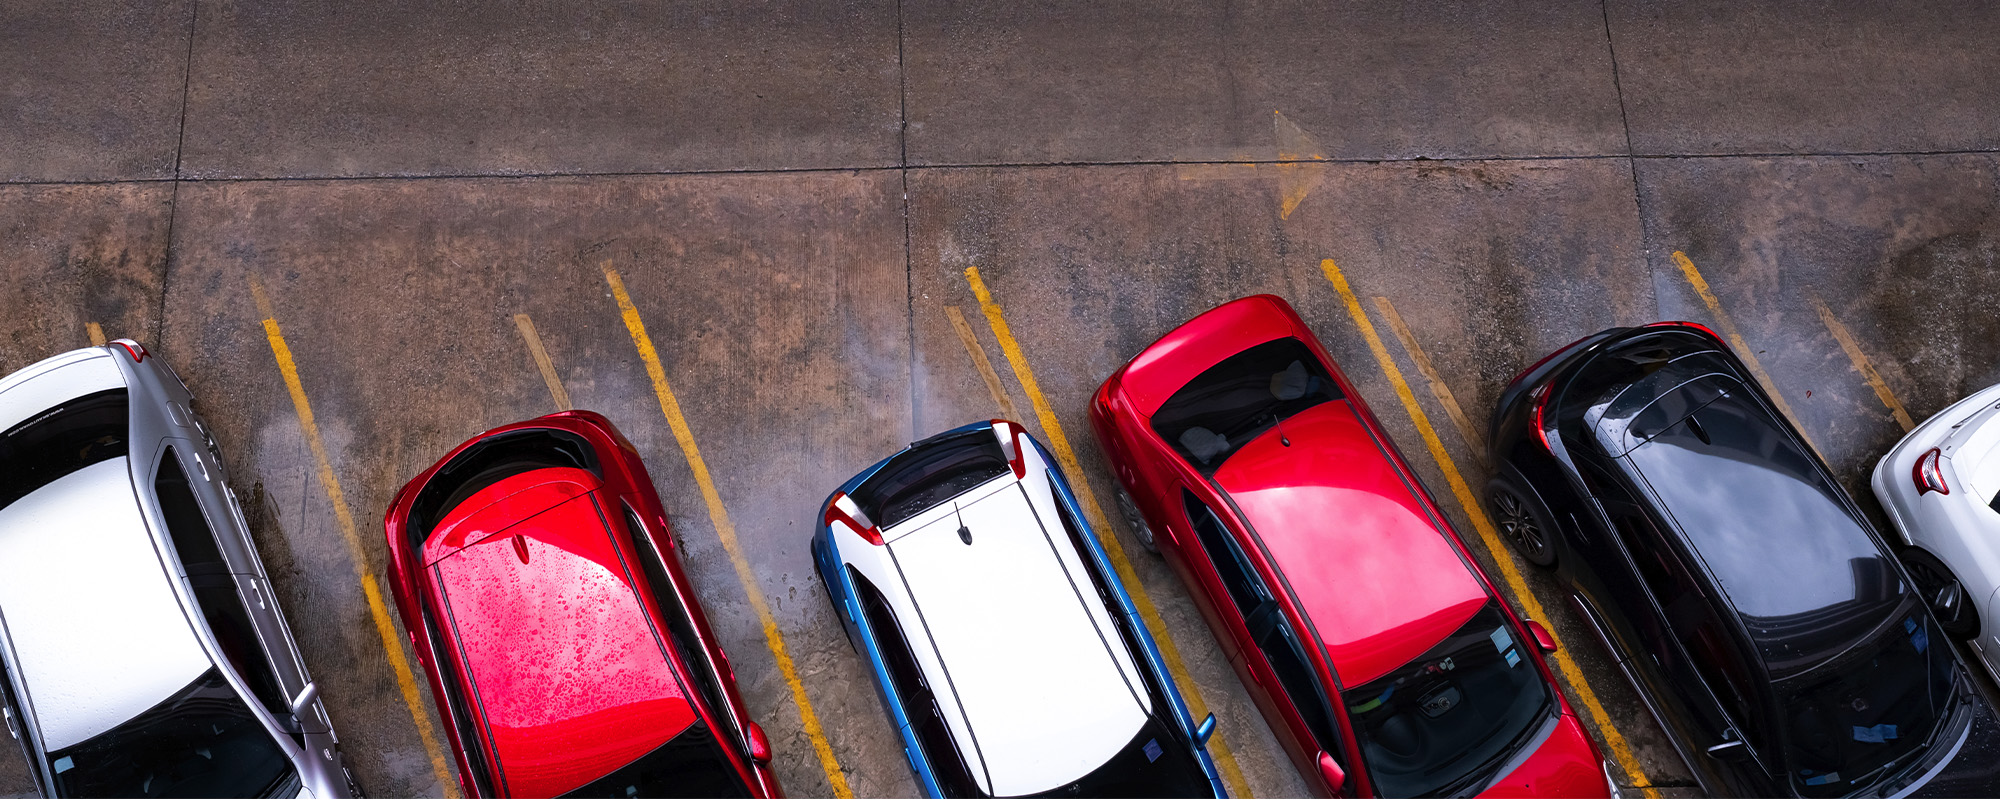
x=725, y=531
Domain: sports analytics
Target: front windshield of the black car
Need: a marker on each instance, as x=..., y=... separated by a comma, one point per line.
x=1869, y=711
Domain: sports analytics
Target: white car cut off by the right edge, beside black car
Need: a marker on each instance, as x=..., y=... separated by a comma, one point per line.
x=1941, y=487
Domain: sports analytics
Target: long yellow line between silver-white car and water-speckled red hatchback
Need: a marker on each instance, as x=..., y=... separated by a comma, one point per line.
x=385, y=627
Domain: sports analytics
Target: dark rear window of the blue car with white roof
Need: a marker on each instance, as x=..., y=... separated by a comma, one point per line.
x=931, y=473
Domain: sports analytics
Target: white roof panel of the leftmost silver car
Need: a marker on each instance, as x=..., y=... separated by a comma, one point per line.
x=89, y=607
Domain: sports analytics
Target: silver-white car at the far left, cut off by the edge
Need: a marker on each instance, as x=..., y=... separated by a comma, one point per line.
x=145, y=653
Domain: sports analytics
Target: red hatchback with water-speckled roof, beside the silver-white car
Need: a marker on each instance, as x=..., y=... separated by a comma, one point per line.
x=539, y=581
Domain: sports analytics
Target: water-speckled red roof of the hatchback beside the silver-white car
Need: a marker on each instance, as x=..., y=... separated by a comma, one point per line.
x=563, y=661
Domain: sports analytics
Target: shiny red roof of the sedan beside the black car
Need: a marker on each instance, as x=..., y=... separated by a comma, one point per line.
x=1369, y=567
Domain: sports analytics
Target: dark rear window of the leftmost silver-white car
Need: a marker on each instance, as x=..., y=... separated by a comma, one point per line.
x=61, y=441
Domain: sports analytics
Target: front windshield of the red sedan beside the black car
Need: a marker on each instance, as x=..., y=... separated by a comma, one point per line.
x=1455, y=715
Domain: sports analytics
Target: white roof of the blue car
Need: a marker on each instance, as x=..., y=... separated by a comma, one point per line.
x=1033, y=663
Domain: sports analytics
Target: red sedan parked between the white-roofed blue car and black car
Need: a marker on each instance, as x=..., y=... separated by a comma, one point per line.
x=1373, y=643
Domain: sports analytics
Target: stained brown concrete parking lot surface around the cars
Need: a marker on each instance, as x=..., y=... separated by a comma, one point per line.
x=775, y=243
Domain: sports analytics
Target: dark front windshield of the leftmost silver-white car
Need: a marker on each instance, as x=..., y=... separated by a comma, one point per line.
x=201, y=743
